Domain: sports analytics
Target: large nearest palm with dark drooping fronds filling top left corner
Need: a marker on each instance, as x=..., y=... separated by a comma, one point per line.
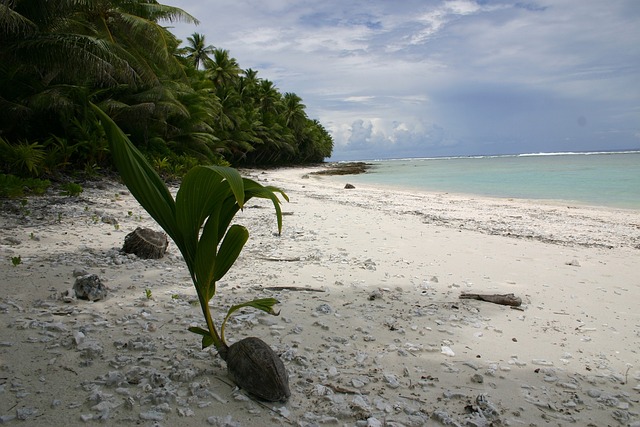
x=56, y=56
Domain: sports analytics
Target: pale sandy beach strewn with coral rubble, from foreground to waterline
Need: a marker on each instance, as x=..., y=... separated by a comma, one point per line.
x=379, y=338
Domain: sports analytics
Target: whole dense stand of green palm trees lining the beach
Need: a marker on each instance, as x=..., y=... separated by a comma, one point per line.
x=181, y=106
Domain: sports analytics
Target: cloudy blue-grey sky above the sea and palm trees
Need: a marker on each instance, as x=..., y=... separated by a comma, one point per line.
x=428, y=78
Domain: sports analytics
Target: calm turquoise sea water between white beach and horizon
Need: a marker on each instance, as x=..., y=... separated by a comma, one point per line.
x=603, y=179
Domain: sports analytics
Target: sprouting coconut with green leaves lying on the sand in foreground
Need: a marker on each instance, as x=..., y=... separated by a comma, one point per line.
x=199, y=223
